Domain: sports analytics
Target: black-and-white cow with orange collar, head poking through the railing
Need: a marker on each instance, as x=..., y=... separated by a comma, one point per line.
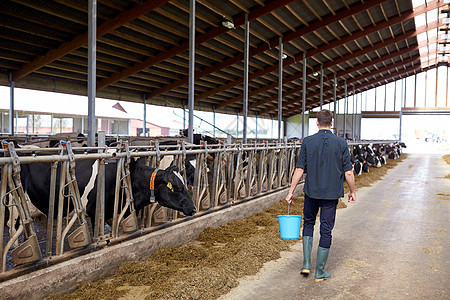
x=170, y=190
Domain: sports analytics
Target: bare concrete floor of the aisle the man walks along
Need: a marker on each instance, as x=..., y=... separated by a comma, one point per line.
x=393, y=243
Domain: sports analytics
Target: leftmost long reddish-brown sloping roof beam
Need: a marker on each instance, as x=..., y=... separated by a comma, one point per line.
x=82, y=40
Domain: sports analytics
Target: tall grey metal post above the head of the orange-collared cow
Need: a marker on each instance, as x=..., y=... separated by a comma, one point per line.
x=191, y=71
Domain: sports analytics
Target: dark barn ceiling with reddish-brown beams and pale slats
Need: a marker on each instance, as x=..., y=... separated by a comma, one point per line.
x=143, y=48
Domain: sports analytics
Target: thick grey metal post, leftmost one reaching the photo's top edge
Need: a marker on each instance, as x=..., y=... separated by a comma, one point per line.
x=92, y=70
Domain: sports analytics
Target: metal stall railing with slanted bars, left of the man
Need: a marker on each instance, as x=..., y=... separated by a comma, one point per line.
x=224, y=175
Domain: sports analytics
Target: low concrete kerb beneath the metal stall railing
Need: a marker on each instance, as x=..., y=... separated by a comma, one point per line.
x=63, y=277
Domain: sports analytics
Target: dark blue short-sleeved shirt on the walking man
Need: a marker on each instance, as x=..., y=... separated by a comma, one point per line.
x=325, y=158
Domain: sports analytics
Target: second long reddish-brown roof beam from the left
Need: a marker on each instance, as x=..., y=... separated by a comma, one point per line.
x=199, y=39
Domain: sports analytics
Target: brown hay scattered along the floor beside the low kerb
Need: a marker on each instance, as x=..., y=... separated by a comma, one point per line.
x=212, y=265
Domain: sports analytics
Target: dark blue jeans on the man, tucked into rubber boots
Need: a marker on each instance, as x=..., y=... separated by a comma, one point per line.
x=327, y=218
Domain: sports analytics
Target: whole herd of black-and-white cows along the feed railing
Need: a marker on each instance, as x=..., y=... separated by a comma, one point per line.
x=167, y=186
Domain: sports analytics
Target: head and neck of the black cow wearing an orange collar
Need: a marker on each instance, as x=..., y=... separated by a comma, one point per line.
x=170, y=190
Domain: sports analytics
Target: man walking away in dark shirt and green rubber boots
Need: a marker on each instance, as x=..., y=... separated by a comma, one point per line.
x=325, y=159
